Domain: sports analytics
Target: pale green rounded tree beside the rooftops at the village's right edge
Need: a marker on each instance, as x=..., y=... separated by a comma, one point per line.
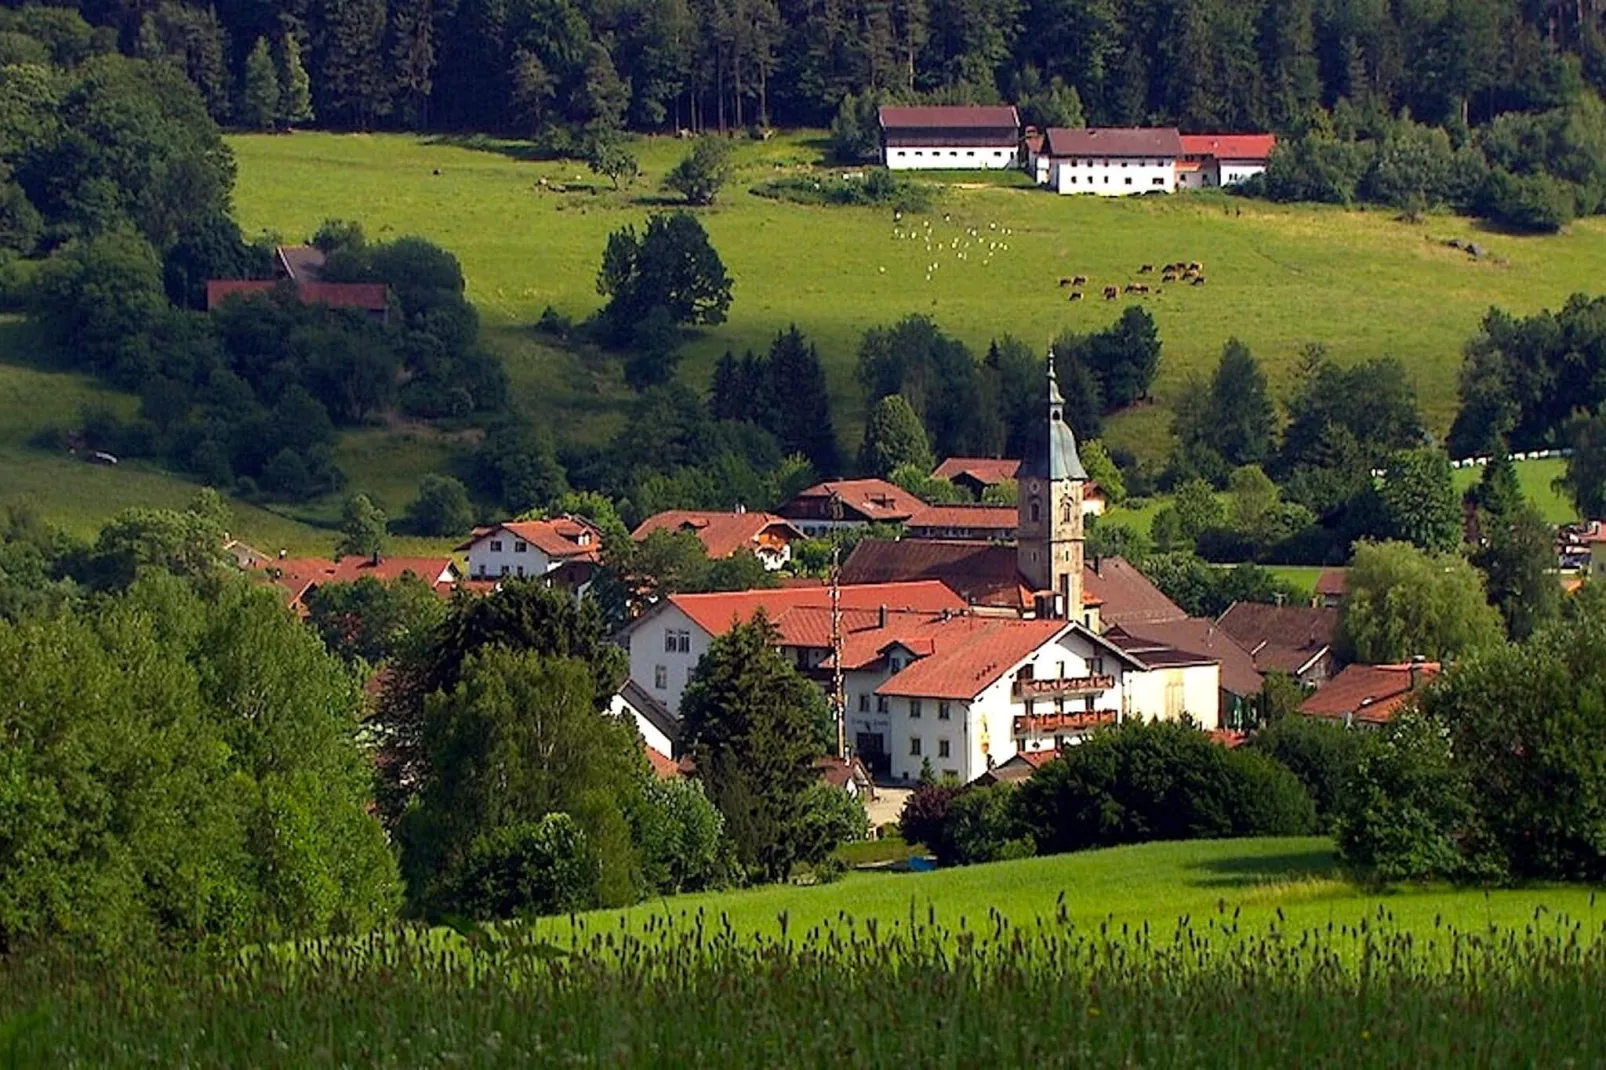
x=1403, y=603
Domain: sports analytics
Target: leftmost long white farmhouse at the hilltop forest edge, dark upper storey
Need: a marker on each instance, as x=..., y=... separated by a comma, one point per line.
x=952, y=137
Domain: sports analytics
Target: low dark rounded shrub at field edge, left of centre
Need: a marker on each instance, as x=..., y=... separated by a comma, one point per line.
x=529, y=868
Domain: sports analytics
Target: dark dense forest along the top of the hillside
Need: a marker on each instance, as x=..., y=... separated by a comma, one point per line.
x=556, y=67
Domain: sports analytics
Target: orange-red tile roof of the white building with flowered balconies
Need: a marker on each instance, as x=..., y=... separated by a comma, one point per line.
x=969, y=655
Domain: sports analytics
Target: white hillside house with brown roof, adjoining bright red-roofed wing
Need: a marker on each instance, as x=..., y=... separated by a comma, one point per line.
x=1114, y=161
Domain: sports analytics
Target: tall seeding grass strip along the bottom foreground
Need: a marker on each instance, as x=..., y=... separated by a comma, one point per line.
x=924, y=992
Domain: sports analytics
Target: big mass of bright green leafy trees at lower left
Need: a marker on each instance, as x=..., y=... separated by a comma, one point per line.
x=184, y=769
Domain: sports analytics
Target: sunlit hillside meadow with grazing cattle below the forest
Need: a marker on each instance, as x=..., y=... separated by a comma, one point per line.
x=1359, y=282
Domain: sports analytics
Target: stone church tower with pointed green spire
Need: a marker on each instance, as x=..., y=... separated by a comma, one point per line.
x=1050, y=542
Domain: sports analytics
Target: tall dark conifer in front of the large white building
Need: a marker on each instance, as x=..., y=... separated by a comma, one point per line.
x=754, y=729
